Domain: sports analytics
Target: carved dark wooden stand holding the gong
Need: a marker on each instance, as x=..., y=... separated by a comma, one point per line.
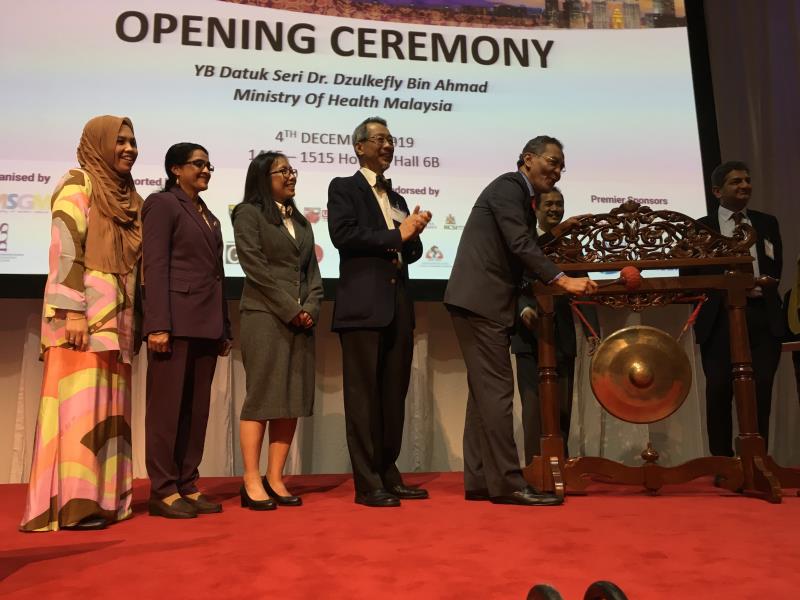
x=637, y=235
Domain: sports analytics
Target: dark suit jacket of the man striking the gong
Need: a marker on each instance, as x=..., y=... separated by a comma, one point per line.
x=497, y=246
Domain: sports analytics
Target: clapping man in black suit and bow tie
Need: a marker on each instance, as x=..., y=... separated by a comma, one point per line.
x=377, y=239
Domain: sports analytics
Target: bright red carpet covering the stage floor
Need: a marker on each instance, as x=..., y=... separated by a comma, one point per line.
x=694, y=541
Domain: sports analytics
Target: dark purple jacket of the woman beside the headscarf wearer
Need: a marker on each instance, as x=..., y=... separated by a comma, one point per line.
x=183, y=276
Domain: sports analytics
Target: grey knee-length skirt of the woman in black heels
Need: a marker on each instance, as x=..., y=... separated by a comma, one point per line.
x=279, y=367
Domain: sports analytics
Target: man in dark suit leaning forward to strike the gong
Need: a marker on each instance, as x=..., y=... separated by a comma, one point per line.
x=497, y=247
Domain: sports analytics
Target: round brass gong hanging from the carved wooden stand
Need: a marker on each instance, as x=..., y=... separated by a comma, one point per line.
x=640, y=374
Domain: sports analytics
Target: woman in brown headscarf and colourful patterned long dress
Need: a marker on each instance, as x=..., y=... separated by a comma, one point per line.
x=81, y=473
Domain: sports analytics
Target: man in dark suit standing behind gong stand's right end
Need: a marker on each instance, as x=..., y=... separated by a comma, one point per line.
x=730, y=183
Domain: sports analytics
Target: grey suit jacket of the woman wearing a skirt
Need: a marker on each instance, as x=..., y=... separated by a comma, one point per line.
x=281, y=271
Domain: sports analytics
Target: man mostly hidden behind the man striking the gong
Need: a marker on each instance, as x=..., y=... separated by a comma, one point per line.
x=524, y=343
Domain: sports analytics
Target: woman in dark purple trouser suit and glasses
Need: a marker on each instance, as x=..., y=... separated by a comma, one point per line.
x=186, y=325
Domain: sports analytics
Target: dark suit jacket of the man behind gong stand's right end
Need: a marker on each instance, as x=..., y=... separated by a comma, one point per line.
x=766, y=227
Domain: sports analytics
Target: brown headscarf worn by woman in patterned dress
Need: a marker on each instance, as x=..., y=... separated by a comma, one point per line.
x=114, y=232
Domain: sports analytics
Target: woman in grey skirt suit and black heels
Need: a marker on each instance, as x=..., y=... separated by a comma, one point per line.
x=279, y=309
